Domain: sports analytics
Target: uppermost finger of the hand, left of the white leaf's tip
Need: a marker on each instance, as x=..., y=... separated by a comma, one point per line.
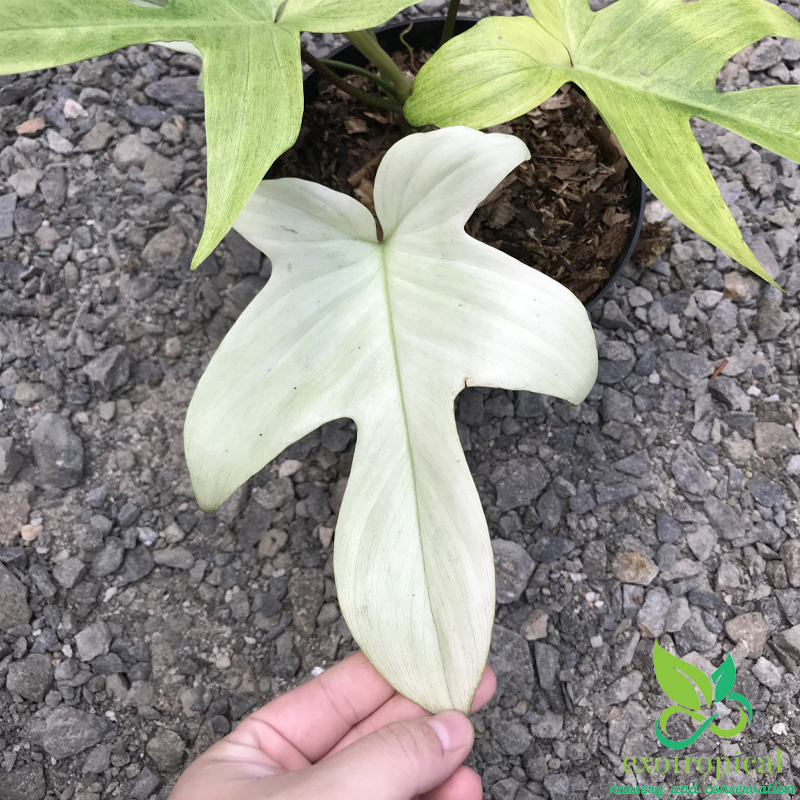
x=311, y=719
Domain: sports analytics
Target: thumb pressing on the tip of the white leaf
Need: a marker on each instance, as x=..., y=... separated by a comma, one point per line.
x=397, y=762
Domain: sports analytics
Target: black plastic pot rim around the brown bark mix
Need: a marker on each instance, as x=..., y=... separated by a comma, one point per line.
x=425, y=35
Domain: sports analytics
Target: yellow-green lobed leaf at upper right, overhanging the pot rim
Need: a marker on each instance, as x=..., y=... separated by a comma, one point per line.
x=648, y=66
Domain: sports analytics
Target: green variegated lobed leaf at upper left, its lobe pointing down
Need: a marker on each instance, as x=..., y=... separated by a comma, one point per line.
x=252, y=75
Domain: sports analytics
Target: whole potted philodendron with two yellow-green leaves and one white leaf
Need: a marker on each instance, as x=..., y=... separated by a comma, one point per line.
x=387, y=324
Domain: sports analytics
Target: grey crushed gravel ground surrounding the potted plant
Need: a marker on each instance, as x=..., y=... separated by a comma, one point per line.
x=135, y=630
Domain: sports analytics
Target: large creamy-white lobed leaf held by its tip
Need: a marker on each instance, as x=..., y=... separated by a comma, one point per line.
x=388, y=334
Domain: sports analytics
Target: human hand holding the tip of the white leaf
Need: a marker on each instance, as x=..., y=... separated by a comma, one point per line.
x=345, y=735
